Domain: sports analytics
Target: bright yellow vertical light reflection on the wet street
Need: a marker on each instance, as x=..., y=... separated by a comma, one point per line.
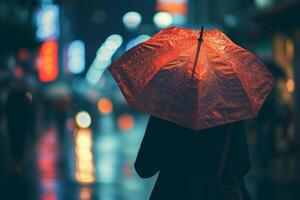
x=84, y=164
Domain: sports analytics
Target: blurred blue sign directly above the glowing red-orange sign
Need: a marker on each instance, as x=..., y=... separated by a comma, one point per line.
x=47, y=21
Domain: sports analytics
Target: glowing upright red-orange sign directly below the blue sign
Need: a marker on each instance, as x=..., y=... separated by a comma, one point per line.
x=48, y=61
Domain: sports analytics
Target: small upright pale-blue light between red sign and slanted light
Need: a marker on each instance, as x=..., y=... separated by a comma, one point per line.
x=76, y=57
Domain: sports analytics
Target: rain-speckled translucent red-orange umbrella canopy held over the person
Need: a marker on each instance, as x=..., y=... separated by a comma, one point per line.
x=195, y=83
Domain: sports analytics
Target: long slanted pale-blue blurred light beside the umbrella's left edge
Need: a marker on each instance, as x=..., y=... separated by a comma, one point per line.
x=103, y=58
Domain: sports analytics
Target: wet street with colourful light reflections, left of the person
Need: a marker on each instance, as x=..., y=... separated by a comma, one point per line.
x=86, y=166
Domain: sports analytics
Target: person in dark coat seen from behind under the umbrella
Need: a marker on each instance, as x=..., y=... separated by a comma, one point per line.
x=183, y=156
